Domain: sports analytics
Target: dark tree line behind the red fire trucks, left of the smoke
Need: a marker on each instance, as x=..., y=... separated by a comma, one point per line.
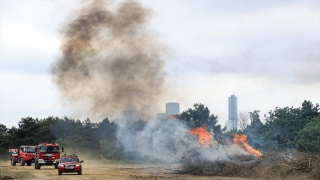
x=96, y=139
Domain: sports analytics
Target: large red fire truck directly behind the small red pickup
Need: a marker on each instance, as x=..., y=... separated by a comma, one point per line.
x=47, y=154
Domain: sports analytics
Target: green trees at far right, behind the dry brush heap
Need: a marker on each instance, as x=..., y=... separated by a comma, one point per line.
x=285, y=128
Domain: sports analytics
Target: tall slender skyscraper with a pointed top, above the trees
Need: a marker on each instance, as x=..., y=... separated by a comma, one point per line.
x=233, y=112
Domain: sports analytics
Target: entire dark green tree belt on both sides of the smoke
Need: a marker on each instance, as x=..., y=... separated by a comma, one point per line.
x=285, y=128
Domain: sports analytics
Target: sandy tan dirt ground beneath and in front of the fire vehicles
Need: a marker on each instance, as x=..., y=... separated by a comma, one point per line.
x=92, y=170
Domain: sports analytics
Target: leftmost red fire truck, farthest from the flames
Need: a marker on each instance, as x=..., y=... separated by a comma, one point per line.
x=23, y=155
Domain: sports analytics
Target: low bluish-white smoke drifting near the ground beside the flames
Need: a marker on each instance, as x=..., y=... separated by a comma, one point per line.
x=170, y=141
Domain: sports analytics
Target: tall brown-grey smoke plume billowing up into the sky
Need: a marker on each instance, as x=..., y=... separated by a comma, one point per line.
x=110, y=62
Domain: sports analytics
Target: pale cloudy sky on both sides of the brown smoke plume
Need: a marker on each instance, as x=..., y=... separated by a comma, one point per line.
x=267, y=52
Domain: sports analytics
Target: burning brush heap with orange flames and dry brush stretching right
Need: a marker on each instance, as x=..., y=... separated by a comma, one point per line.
x=249, y=163
